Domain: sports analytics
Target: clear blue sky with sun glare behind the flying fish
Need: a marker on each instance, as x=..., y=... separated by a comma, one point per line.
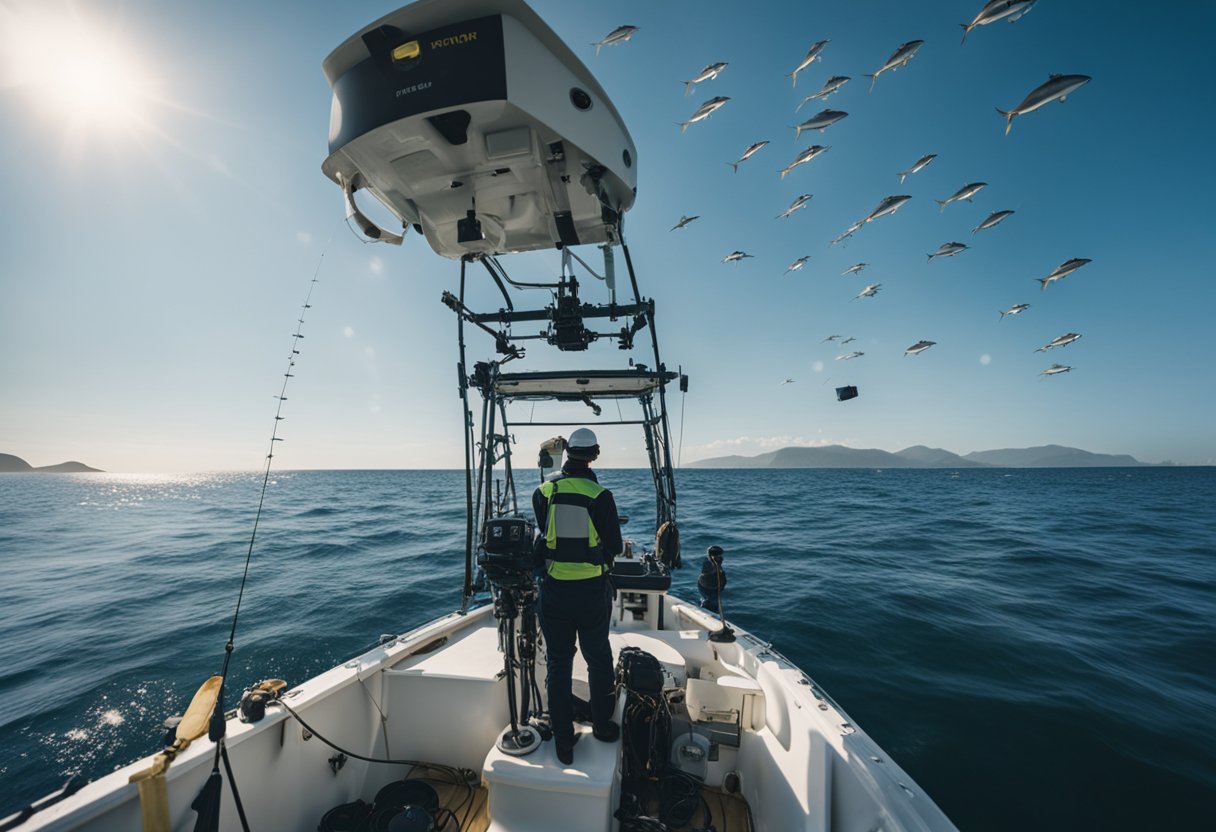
x=157, y=241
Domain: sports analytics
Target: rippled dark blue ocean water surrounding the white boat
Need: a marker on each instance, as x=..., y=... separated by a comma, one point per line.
x=1038, y=649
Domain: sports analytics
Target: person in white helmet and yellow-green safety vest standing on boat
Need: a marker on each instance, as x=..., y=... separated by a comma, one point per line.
x=579, y=537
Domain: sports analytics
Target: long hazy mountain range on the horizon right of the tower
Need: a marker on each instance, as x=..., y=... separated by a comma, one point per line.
x=919, y=457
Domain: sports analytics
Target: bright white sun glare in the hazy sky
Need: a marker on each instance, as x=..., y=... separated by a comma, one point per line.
x=78, y=74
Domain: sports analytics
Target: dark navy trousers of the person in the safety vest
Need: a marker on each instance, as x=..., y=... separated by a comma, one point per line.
x=582, y=609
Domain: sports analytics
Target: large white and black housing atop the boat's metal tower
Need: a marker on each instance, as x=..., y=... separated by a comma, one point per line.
x=447, y=108
